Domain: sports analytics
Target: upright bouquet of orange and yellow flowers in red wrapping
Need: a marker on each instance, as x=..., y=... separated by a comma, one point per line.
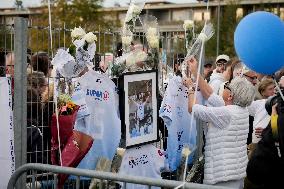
x=66, y=118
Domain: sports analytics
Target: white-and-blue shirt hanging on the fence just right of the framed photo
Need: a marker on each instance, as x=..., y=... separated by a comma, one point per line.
x=174, y=112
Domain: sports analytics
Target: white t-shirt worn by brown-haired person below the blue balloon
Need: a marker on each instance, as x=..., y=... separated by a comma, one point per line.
x=261, y=117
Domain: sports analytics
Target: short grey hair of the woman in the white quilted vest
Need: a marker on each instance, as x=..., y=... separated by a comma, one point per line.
x=243, y=92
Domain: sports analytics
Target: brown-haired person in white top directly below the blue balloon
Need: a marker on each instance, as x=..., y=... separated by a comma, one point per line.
x=258, y=111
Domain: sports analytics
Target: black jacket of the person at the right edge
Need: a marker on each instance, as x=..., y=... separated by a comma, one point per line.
x=266, y=168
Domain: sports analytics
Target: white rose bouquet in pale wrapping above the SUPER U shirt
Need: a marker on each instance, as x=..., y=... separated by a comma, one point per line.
x=71, y=62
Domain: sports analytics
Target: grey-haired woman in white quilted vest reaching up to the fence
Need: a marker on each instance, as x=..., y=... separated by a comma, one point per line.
x=226, y=137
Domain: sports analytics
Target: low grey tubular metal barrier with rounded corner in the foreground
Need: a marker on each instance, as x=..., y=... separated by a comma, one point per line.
x=102, y=176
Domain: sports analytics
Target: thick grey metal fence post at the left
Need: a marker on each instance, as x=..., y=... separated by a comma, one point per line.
x=20, y=93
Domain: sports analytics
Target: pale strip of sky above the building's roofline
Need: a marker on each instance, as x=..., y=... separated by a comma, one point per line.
x=107, y=3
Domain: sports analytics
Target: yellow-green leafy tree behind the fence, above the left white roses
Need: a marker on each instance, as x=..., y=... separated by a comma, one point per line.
x=72, y=13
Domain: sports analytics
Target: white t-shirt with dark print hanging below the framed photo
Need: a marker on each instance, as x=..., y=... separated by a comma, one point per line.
x=144, y=161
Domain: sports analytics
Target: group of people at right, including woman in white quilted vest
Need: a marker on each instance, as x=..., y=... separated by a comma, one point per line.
x=236, y=117
